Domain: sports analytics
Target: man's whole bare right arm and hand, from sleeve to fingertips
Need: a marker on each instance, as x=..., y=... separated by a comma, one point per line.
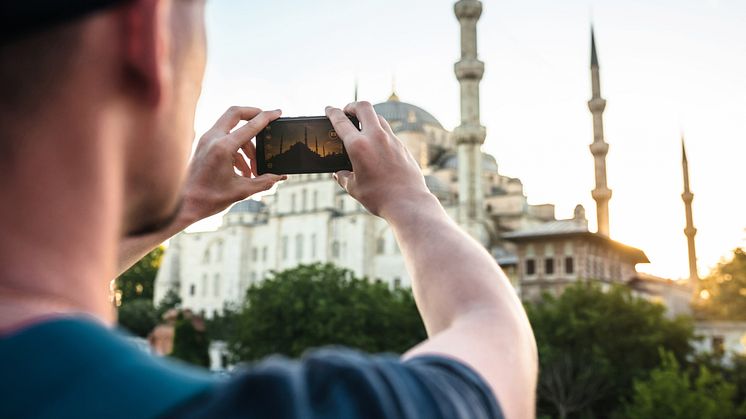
x=469, y=308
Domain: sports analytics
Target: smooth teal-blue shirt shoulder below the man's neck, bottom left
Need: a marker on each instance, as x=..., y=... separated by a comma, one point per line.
x=78, y=366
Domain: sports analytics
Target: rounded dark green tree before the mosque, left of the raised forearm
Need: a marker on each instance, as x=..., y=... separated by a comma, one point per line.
x=316, y=305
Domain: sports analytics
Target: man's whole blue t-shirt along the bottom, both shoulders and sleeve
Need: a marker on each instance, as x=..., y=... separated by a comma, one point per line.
x=77, y=368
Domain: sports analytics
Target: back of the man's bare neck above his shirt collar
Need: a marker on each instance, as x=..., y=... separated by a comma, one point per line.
x=60, y=221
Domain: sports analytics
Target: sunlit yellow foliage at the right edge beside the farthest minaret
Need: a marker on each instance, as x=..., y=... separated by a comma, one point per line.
x=725, y=289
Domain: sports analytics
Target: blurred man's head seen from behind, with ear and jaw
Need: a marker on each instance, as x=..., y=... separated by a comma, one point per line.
x=131, y=71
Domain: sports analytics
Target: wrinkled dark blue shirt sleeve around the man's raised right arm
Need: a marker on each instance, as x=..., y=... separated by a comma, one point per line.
x=344, y=383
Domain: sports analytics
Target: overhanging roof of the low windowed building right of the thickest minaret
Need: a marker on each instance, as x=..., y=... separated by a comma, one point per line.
x=570, y=229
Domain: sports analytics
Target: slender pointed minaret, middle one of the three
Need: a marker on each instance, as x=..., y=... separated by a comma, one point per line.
x=599, y=148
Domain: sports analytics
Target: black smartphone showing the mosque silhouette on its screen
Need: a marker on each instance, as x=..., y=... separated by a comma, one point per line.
x=290, y=146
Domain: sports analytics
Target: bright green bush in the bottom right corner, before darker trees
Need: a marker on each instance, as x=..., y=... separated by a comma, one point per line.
x=673, y=393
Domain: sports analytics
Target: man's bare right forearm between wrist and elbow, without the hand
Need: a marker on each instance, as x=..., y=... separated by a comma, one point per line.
x=452, y=274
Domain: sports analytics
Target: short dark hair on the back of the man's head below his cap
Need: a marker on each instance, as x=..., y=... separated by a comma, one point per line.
x=32, y=68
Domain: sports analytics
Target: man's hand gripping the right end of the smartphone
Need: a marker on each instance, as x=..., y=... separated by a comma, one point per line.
x=385, y=177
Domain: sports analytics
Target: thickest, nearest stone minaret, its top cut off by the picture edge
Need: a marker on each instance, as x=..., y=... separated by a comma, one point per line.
x=470, y=134
